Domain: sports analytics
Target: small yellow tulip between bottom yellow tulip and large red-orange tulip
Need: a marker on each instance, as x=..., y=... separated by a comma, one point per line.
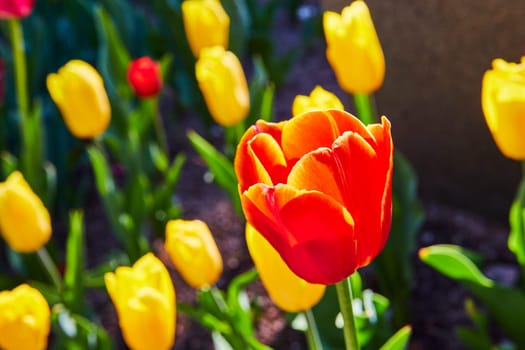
x=193, y=251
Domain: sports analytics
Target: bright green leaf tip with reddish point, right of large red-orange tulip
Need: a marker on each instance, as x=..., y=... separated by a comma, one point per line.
x=453, y=262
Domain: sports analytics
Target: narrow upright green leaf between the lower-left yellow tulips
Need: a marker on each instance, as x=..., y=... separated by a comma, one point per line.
x=75, y=260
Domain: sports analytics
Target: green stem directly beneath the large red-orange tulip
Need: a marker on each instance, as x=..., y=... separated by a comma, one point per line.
x=344, y=295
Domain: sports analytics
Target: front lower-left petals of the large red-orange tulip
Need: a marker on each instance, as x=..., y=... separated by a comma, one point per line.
x=306, y=228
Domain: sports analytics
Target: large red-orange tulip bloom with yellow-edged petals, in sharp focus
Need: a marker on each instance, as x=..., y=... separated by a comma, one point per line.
x=318, y=187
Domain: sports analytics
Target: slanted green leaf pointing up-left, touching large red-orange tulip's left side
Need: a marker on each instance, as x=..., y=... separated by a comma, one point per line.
x=220, y=166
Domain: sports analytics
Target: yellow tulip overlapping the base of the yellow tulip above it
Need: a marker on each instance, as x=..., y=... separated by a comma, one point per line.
x=223, y=84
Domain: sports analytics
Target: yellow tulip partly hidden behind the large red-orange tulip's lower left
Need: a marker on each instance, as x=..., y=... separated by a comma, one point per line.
x=288, y=291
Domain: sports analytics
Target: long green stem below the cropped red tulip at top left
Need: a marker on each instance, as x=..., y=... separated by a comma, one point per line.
x=29, y=144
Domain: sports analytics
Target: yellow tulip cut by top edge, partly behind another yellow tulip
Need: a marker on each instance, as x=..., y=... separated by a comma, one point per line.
x=206, y=24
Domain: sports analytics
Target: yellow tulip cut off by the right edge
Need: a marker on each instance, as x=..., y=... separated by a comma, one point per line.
x=503, y=104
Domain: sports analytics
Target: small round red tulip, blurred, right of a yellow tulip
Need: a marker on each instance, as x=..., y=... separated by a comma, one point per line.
x=144, y=77
